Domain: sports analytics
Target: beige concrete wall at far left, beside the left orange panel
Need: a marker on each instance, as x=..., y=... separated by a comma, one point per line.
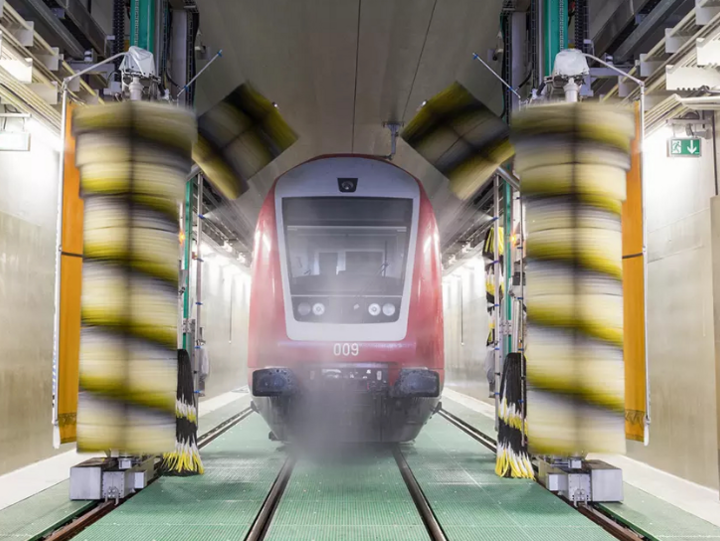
x=28, y=205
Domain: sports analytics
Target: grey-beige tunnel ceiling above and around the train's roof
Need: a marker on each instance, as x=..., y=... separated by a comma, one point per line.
x=339, y=68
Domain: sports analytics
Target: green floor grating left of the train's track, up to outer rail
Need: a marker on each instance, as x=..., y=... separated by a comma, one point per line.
x=240, y=467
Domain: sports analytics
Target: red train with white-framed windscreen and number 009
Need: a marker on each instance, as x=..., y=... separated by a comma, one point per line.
x=346, y=321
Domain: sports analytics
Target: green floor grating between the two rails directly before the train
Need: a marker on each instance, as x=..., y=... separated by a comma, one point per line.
x=357, y=499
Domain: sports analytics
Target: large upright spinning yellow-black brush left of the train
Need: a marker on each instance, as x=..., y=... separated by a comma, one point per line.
x=133, y=158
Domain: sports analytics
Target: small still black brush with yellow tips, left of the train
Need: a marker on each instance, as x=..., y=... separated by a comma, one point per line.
x=185, y=459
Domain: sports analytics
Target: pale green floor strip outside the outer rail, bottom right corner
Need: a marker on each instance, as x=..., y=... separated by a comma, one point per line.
x=656, y=519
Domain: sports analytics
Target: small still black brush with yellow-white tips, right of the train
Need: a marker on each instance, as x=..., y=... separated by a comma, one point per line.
x=513, y=459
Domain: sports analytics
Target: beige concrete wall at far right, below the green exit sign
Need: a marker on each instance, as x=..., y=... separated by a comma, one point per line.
x=683, y=433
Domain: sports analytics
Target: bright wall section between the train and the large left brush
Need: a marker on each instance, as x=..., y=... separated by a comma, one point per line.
x=226, y=298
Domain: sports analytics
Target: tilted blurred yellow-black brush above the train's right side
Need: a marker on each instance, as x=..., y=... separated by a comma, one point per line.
x=461, y=138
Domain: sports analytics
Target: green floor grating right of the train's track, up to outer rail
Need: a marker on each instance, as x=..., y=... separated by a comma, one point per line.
x=457, y=475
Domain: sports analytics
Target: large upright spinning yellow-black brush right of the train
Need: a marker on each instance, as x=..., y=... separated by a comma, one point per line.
x=572, y=159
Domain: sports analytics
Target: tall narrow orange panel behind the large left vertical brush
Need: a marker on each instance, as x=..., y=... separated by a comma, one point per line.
x=70, y=288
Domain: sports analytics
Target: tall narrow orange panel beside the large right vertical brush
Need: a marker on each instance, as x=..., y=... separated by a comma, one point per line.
x=634, y=296
